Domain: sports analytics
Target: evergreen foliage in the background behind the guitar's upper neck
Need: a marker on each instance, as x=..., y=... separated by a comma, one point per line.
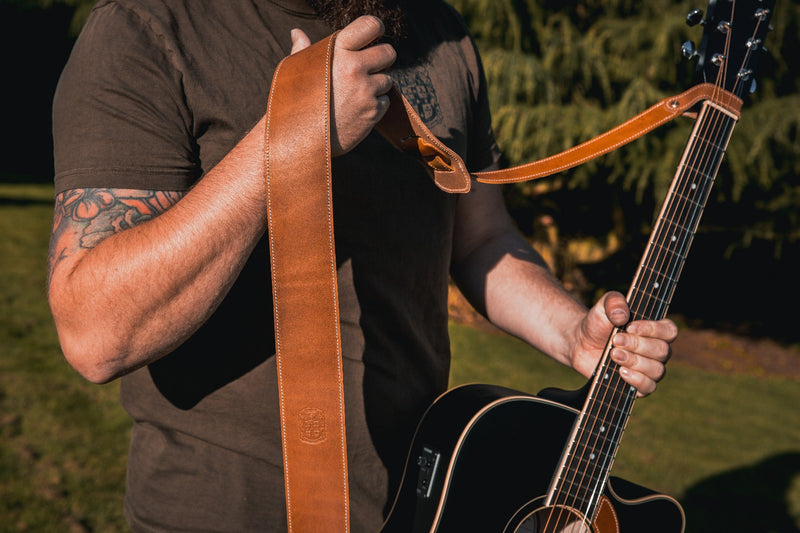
x=560, y=73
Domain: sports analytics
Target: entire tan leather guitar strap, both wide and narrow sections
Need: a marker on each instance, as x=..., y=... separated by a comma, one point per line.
x=303, y=258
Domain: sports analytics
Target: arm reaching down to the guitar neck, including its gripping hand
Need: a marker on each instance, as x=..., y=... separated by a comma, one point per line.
x=508, y=281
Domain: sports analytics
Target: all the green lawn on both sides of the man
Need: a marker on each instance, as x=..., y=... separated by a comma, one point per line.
x=727, y=446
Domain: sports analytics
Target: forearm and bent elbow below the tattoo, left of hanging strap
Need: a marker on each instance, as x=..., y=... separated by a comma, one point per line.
x=142, y=291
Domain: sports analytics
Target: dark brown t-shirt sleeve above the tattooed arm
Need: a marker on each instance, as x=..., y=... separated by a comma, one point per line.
x=119, y=116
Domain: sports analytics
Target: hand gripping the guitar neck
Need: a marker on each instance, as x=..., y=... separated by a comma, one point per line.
x=641, y=349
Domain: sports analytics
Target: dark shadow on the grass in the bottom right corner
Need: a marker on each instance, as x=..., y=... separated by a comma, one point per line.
x=752, y=498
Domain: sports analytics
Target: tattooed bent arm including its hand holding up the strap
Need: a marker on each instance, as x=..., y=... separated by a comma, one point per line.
x=134, y=273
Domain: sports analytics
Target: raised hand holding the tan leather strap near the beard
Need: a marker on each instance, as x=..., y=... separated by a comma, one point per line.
x=359, y=81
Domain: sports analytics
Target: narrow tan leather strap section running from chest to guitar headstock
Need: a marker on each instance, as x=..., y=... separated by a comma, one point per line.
x=403, y=128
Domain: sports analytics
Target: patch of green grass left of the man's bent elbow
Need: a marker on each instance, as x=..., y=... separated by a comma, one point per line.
x=63, y=441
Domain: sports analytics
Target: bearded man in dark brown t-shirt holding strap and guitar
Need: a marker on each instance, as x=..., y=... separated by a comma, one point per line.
x=159, y=267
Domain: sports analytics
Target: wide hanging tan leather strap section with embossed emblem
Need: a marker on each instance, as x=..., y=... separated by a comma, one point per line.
x=303, y=260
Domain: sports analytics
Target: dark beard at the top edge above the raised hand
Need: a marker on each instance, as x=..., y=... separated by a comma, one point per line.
x=339, y=13
